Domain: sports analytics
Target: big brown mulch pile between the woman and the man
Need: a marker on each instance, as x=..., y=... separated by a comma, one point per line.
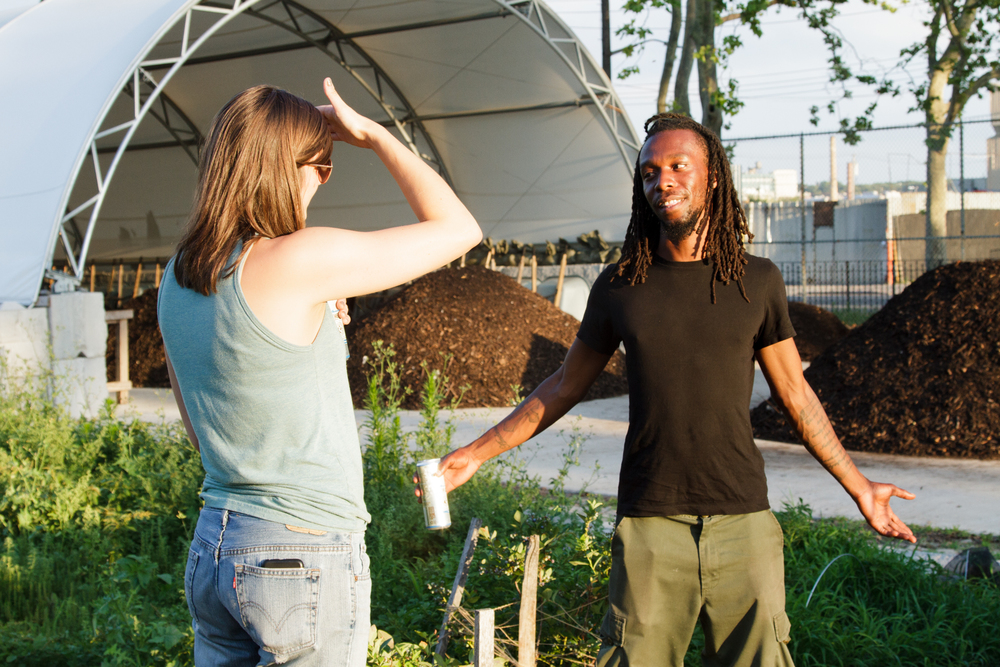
x=498, y=333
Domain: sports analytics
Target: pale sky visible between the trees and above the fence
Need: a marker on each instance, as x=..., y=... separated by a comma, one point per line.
x=785, y=72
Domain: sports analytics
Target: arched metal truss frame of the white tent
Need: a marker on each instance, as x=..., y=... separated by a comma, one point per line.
x=146, y=79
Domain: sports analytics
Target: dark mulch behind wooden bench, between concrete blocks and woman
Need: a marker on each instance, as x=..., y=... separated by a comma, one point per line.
x=147, y=365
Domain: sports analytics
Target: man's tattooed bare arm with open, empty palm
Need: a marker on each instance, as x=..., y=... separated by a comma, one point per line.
x=783, y=369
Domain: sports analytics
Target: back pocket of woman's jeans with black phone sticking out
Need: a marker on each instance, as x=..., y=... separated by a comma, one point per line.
x=278, y=607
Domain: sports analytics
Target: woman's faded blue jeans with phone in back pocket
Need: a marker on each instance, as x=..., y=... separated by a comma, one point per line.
x=244, y=614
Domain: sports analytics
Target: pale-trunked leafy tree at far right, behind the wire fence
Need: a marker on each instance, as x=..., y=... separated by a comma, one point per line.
x=962, y=52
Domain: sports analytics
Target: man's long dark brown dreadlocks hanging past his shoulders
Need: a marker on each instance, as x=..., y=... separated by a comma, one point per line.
x=726, y=226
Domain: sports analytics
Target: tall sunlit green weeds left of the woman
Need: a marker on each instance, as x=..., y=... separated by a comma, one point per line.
x=93, y=516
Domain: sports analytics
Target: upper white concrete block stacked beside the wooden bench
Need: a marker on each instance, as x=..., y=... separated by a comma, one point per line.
x=76, y=320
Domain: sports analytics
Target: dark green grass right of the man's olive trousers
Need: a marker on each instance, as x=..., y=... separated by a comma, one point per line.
x=884, y=607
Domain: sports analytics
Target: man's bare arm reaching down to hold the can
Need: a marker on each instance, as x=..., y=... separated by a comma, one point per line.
x=551, y=400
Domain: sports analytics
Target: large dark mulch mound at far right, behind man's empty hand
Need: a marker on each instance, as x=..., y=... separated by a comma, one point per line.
x=921, y=377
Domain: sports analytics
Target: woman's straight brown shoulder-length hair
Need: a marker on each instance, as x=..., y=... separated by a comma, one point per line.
x=248, y=181
